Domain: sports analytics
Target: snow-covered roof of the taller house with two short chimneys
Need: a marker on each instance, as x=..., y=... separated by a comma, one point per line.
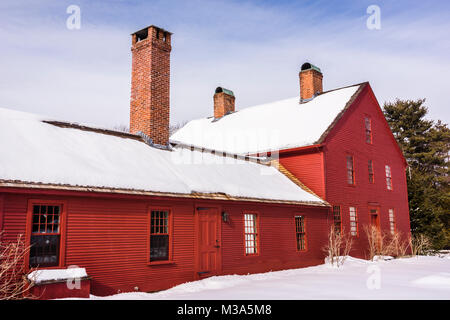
x=278, y=125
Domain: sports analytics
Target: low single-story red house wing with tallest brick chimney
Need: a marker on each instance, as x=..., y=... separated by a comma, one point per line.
x=138, y=214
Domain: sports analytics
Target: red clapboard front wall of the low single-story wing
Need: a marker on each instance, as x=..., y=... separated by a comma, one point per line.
x=109, y=237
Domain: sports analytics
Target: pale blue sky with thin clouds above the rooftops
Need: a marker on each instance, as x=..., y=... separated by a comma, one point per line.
x=254, y=48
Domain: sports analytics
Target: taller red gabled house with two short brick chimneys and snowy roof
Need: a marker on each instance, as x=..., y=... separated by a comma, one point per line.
x=337, y=143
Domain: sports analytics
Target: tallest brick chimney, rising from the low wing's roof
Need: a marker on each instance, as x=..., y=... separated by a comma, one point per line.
x=150, y=84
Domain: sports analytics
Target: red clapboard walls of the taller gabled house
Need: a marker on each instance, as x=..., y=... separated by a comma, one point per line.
x=329, y=177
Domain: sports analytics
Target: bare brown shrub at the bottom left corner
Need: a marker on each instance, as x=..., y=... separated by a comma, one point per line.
x=13, y=282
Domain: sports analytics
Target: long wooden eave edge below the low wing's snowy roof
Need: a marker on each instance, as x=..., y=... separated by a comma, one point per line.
x=193, y=195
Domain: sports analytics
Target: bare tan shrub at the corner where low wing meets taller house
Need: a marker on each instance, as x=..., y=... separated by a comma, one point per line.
x=338, y=247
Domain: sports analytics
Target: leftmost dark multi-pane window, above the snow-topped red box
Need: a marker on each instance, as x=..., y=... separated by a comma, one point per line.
x=45, y=236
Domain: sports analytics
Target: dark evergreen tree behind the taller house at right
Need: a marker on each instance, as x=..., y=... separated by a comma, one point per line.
x=426, y=146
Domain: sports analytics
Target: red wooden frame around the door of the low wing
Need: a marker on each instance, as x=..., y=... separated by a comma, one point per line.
x=196, y=239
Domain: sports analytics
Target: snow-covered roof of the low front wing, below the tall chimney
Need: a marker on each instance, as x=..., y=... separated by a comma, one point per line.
x=38, y=152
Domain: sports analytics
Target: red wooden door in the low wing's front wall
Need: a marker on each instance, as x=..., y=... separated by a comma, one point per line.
x=209, y=239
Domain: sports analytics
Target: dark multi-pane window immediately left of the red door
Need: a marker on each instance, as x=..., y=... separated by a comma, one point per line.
x=159, y=235
